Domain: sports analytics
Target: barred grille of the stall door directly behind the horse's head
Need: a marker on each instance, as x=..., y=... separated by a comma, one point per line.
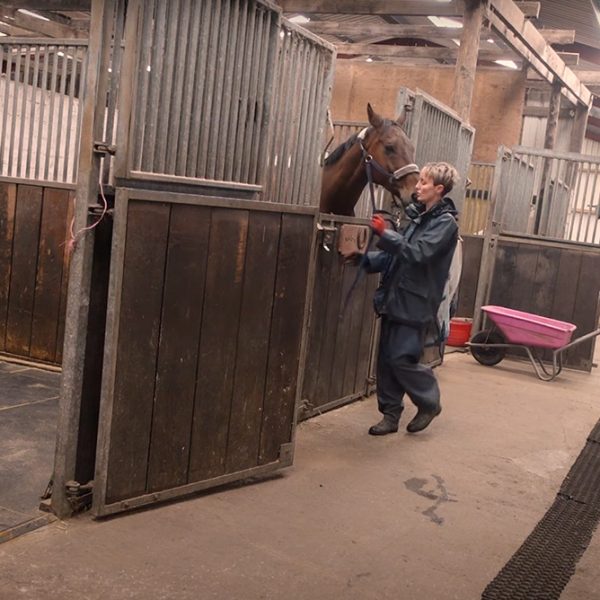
x=438, y=135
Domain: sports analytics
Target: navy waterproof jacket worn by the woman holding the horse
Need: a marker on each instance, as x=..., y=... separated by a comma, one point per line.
x=415, y=264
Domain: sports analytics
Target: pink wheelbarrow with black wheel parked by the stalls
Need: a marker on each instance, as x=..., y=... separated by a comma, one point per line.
x=530, y=332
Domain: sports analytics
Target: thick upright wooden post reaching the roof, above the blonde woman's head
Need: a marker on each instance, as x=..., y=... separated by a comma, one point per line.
x=466, y=63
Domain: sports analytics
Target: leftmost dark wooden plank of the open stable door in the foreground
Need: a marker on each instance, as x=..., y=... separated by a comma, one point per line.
x=137, y=348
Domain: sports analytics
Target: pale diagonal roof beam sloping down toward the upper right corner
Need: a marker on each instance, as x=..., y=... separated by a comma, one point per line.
x=528, y=42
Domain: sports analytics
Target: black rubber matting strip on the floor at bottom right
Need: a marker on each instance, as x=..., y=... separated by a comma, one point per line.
x=543, y=565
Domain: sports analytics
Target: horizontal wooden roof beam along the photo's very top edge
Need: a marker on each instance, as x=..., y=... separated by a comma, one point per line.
x=389, y=7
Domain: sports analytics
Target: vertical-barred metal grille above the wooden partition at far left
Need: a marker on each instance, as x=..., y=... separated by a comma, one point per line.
x=40, y=91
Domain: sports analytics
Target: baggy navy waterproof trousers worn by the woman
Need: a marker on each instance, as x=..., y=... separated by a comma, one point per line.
x=399, y=371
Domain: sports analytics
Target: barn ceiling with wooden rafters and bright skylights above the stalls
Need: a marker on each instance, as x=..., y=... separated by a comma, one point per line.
x=416, y=32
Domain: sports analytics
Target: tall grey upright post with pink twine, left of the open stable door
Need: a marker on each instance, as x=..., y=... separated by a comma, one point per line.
x=78, y=299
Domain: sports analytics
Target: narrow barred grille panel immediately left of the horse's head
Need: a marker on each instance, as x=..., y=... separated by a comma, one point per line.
x=303, y=88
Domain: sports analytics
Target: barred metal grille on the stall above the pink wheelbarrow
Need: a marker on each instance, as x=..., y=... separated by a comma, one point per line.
x=549, y=194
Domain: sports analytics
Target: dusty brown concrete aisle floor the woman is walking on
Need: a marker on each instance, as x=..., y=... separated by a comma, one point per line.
x=432, y=516
